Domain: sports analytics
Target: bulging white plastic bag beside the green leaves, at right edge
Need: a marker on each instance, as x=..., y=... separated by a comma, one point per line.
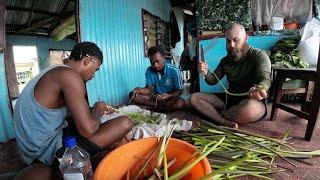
x=309, y=43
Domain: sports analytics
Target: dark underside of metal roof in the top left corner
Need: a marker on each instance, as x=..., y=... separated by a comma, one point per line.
x=36, y=17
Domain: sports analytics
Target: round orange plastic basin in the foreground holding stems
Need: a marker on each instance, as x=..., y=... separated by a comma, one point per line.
x=128, y=159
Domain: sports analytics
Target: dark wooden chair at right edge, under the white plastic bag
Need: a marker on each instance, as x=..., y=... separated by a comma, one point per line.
x=310, y=107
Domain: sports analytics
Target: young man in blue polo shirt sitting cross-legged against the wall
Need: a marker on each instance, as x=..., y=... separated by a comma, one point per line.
x=163, y=84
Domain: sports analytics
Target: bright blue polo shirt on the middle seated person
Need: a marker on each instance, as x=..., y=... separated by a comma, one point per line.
x=167, y=82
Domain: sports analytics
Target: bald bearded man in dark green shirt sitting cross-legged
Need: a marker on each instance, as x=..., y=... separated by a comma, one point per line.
x=247, y=70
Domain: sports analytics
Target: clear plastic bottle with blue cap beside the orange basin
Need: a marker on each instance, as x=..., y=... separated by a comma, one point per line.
x=75, y=163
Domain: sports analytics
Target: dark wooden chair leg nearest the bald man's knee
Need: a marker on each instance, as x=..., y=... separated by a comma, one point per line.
x=277, y=97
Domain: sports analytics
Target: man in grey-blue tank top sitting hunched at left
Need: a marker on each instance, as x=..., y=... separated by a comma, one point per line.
x=41, y=109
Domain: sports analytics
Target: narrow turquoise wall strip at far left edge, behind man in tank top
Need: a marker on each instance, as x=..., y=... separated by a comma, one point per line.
x=6, y=126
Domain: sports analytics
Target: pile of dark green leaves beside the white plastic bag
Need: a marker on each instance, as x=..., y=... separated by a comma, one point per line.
x=286, y=54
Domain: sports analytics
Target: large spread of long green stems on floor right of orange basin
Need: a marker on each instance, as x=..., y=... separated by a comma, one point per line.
x=242, y=153
